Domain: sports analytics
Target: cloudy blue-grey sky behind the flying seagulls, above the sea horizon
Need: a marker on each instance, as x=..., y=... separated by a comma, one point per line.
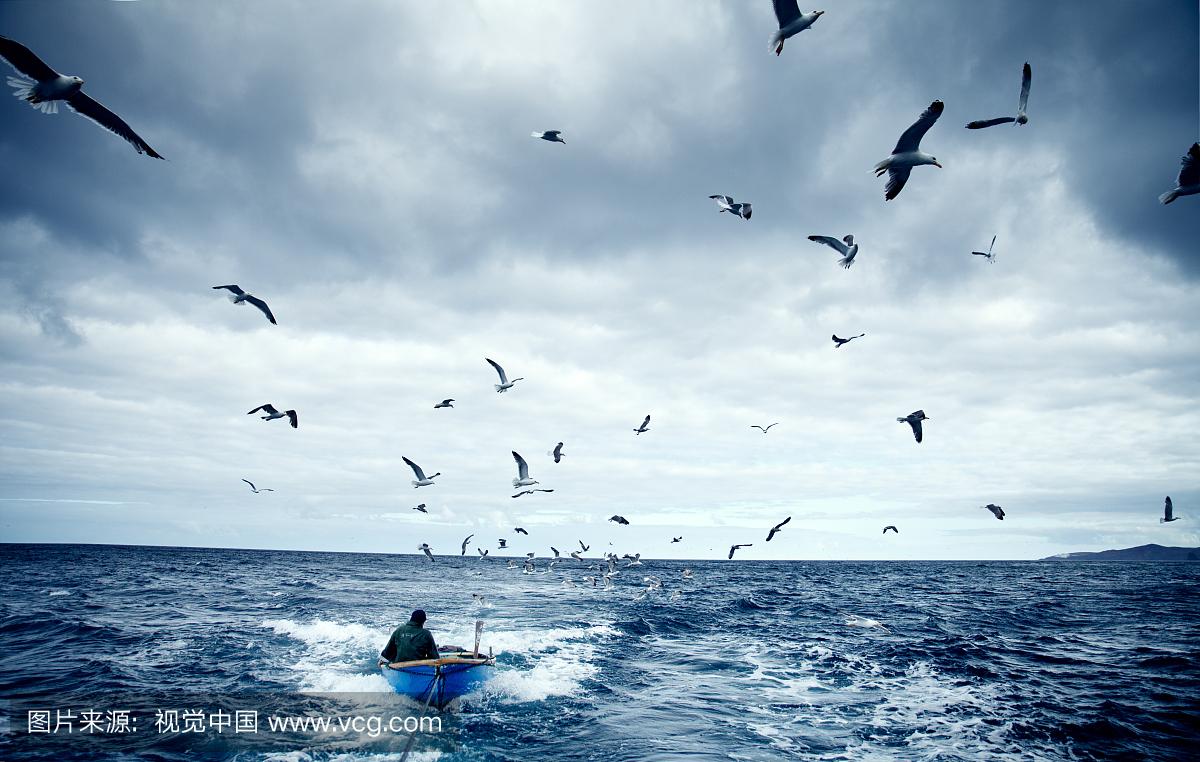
x=368, y=170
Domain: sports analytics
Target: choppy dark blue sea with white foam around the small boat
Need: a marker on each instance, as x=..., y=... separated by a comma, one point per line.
x=747, y=662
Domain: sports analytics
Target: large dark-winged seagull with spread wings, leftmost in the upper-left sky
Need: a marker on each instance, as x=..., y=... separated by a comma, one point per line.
x=43, y=88
